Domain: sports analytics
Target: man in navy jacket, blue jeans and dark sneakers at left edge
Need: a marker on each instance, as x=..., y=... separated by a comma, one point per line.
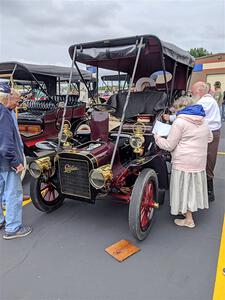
x=11, y=164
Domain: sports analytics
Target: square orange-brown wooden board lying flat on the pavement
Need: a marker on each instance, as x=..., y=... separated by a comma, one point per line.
x=122, y=250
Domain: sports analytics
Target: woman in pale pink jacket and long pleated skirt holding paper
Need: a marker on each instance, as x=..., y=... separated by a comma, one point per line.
x=188, y=141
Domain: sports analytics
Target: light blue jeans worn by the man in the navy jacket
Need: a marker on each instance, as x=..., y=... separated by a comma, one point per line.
x=11, y=189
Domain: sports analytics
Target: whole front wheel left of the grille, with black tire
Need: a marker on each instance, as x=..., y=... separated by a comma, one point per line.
x=45, y=195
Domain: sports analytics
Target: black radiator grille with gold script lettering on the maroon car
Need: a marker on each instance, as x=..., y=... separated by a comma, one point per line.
x=74, y=177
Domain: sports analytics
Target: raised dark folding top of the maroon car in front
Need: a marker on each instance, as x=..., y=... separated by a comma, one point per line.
x=120, y=55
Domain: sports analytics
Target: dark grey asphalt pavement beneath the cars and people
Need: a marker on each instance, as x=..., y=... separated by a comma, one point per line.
x=64, y=257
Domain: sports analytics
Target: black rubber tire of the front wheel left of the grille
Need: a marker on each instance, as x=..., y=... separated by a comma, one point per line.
x=37, y=199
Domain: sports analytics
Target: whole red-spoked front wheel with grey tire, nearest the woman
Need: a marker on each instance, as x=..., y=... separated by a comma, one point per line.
x=143, y=198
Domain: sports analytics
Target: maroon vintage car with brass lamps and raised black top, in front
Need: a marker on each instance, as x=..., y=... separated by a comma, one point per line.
x=124, y=161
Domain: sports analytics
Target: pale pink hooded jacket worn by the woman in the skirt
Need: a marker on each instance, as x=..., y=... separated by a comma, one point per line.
x=188, y=142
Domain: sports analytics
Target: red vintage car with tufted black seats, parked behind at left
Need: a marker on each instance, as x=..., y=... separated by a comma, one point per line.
x=40, y=118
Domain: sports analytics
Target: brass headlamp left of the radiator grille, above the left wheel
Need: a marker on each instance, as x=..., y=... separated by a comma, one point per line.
x=37, y=167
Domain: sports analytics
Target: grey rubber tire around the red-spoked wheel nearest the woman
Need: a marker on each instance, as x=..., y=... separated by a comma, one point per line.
x=147, y=175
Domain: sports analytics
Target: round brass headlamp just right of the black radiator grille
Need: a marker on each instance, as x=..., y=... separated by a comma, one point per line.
x=100, y=177
